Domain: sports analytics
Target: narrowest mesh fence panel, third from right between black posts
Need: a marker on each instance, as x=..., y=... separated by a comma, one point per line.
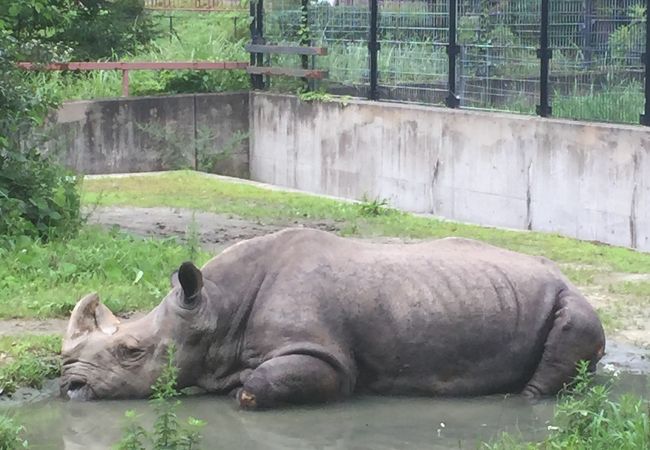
x=412, y=58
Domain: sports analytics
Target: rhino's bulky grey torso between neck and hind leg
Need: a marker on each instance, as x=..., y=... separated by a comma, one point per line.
x=447, y=316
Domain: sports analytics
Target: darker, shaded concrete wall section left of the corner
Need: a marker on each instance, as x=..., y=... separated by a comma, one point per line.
x=209, y=131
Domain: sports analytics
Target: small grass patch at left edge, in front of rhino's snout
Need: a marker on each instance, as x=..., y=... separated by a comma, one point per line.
x=27, y=360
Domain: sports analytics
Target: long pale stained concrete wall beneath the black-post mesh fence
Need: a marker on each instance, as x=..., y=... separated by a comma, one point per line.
x=590, y=181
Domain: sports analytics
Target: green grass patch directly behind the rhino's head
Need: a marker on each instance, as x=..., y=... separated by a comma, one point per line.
x=46, y=280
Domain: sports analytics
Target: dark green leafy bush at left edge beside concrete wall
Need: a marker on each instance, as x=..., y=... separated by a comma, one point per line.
x=38, y=198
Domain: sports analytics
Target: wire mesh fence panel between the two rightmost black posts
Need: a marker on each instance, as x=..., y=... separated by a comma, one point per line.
x=596, y=69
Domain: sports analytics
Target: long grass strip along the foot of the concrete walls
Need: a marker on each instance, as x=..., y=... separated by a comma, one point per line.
x=190, y=190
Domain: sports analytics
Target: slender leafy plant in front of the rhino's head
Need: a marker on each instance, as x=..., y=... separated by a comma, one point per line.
x=168, y=433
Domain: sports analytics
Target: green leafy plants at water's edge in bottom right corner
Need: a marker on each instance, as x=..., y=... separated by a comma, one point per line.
x=587, y=417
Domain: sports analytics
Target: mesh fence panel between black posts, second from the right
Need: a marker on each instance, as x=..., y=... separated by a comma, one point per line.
x=498, y=67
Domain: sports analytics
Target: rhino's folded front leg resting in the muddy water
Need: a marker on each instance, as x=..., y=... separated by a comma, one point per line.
x=290, y=379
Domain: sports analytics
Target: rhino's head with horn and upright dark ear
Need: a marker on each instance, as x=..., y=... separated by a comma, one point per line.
x=103, y=358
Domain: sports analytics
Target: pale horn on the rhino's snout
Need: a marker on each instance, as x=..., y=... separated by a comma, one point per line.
x=90, y=315
